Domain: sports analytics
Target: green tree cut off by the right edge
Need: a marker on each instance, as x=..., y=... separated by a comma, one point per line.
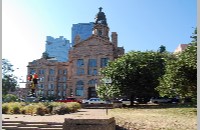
x=180, y=78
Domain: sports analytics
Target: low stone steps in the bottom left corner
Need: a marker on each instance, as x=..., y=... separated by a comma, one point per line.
x=21, y=125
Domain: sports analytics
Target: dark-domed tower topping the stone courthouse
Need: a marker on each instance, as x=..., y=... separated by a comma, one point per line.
x=101, y=28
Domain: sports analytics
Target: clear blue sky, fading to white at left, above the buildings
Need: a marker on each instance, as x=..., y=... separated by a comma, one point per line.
x=141, y=24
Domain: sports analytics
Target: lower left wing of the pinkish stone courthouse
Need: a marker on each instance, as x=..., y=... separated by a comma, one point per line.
x=52, y=77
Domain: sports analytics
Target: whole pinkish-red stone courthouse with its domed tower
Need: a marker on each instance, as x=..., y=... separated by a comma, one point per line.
x=80, y=75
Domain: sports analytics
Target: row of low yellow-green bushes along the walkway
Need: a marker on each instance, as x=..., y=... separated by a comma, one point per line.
x=40, y=108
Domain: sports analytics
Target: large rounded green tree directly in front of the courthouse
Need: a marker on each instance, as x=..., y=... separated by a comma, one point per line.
x=136, y=73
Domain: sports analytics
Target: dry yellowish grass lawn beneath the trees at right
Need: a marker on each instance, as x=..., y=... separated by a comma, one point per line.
x=156, y=117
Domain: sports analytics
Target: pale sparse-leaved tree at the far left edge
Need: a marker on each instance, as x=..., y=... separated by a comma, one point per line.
x=9, y=81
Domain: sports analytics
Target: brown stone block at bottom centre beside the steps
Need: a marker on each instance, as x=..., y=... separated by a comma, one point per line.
x=89, y=124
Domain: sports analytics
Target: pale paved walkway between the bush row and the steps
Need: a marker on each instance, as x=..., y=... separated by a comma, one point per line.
x=81, y=114
